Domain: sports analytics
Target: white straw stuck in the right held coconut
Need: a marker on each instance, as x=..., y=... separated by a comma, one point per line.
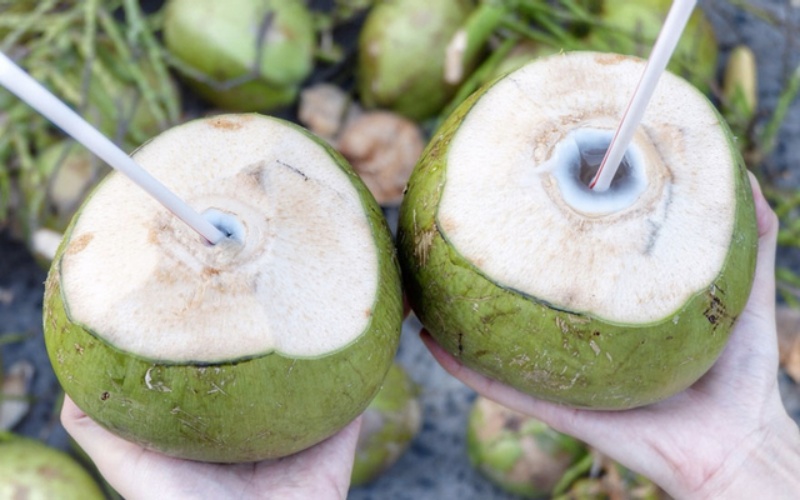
x=665, y=45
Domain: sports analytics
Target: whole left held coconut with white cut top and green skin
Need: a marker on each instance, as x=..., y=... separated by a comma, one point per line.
x=254, y=348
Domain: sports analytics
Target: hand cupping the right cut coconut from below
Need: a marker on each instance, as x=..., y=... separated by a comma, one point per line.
x=727, y=436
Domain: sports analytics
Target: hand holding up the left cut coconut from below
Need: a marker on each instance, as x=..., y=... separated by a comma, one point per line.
x=322, y=471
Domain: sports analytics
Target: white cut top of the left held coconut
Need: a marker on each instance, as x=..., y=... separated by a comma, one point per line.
x=298, y=276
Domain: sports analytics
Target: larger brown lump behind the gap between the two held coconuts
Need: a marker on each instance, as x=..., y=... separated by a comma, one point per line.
x=383, y=148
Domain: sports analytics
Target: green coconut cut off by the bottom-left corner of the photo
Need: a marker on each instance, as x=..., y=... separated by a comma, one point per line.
x=30, y=469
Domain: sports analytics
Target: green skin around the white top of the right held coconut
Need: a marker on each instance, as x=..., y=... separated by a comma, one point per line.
x=510, y=337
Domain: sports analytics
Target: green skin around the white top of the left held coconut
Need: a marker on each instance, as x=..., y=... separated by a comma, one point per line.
x=265, y=406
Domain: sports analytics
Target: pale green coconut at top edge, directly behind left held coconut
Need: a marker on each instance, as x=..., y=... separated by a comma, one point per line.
x=242, y=55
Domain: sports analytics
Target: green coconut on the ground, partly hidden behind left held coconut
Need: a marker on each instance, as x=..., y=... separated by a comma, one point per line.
x=390, y=423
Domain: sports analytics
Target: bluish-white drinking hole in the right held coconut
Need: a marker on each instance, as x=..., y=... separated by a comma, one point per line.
x=575, y=161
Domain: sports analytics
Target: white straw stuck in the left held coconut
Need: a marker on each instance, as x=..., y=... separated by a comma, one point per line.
x=39, y=98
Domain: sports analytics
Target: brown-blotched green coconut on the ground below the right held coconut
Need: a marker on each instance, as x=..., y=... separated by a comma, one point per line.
x=520, y=454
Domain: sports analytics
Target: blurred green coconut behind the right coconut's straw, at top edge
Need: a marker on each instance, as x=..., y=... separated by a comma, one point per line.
x=632, y=27
